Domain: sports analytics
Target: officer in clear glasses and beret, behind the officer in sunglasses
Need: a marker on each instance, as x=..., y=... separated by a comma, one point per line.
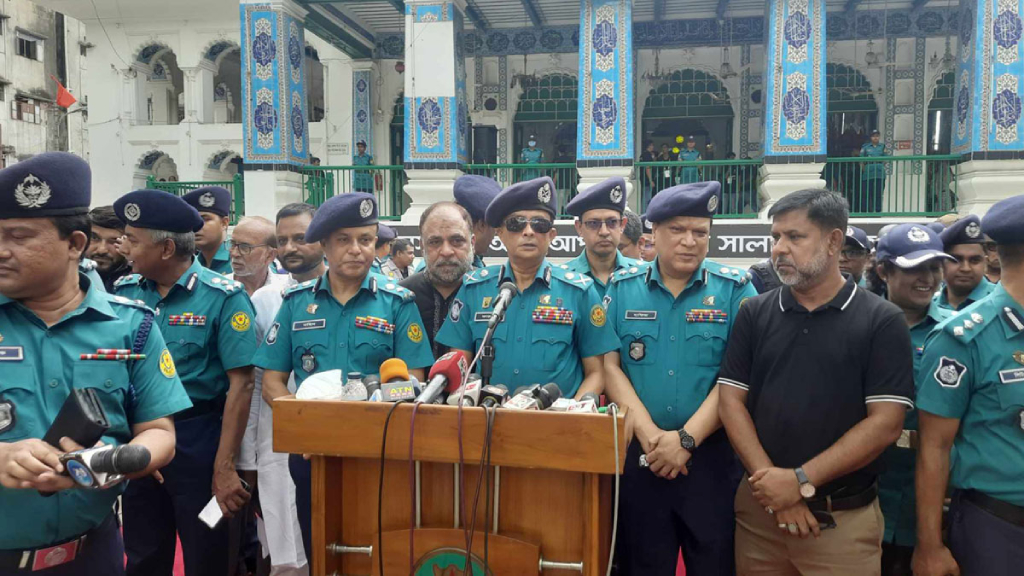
x=600, y=223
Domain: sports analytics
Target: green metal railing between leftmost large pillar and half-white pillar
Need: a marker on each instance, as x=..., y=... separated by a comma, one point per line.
x=387, y=183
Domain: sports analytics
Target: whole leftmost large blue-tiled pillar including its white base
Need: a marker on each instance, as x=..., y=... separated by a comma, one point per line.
x=276, y=142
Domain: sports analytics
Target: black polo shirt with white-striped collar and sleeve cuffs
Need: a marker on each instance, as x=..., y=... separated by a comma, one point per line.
x=810, y=375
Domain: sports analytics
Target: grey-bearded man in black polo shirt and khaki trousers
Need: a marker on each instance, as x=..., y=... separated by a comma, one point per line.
x=819, y=375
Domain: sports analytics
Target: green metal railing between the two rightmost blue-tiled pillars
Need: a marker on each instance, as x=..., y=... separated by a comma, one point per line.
x=895, y=186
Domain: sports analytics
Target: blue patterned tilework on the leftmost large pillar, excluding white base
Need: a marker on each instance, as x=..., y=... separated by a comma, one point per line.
x=274, y=87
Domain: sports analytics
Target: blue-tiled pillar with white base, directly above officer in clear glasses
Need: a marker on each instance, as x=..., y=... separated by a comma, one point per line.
x=606, y=115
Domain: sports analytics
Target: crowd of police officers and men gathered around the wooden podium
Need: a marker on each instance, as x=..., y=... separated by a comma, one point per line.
x=816, y=415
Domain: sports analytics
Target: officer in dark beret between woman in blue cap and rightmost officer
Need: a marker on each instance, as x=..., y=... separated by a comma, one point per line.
x=965, y=277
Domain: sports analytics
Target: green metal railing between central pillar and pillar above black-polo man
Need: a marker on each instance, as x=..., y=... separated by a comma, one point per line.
x=739, y=179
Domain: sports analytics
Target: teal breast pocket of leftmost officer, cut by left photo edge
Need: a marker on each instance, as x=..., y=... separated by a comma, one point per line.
x=22, y=415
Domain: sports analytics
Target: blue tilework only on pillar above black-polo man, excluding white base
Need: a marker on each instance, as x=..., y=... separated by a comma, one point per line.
x=795, y=78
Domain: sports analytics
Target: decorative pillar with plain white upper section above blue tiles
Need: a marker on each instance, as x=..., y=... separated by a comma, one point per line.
x=437, y=115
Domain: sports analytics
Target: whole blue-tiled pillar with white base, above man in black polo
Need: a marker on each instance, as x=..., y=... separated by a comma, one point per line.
x=795, y=99
